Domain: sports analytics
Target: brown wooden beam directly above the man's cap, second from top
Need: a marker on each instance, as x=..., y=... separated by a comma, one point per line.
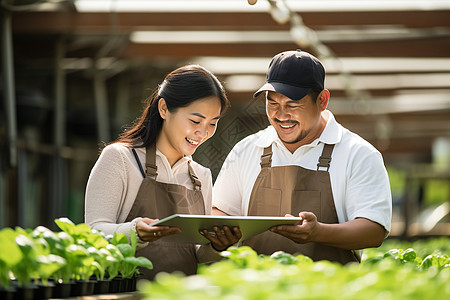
x=437, y=47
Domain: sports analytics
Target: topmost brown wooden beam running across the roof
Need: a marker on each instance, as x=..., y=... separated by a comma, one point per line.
x=60, y=22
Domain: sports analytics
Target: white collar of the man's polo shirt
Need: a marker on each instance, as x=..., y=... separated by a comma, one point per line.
x=332, y=134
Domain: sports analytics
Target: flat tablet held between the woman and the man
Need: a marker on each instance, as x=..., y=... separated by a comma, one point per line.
x=191, y=225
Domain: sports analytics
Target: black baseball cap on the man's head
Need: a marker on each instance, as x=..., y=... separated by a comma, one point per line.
x=294, y=74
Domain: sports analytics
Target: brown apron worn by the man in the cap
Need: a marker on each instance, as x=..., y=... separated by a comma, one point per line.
x=290, y=190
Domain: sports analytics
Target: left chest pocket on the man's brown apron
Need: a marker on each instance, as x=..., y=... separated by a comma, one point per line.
x=268, y=203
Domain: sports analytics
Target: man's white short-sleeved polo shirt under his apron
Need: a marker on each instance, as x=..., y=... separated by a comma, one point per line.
x=359, y=180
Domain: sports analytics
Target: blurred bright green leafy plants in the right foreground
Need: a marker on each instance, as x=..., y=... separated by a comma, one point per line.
x=384, y=274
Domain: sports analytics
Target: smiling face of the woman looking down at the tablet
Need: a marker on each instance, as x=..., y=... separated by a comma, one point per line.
x=187, y=127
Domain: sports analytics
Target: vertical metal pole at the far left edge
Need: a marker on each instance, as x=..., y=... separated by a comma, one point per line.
x=9, y=88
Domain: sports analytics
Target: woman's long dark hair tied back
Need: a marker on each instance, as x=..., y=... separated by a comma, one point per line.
x=180, y=88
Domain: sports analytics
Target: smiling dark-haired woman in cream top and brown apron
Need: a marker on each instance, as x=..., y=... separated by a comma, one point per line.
x=148, y=173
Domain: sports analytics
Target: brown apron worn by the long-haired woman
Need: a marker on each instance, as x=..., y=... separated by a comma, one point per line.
x=157, y=200
